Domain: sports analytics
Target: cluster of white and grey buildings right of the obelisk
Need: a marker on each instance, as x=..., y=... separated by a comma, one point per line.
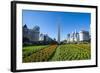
x=76, y=37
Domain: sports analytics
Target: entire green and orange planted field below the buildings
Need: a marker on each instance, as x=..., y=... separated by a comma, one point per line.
x=56, y=53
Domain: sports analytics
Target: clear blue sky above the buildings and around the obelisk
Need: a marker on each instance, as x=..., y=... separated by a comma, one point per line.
x=48, y=21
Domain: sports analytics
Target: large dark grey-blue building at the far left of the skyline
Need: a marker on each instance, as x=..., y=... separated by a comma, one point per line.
x=31, y=34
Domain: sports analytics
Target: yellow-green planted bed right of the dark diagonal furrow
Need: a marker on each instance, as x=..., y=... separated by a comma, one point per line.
x=72, y=52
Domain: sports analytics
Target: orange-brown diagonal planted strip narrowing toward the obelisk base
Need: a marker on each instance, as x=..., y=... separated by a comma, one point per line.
x=42, y=55
